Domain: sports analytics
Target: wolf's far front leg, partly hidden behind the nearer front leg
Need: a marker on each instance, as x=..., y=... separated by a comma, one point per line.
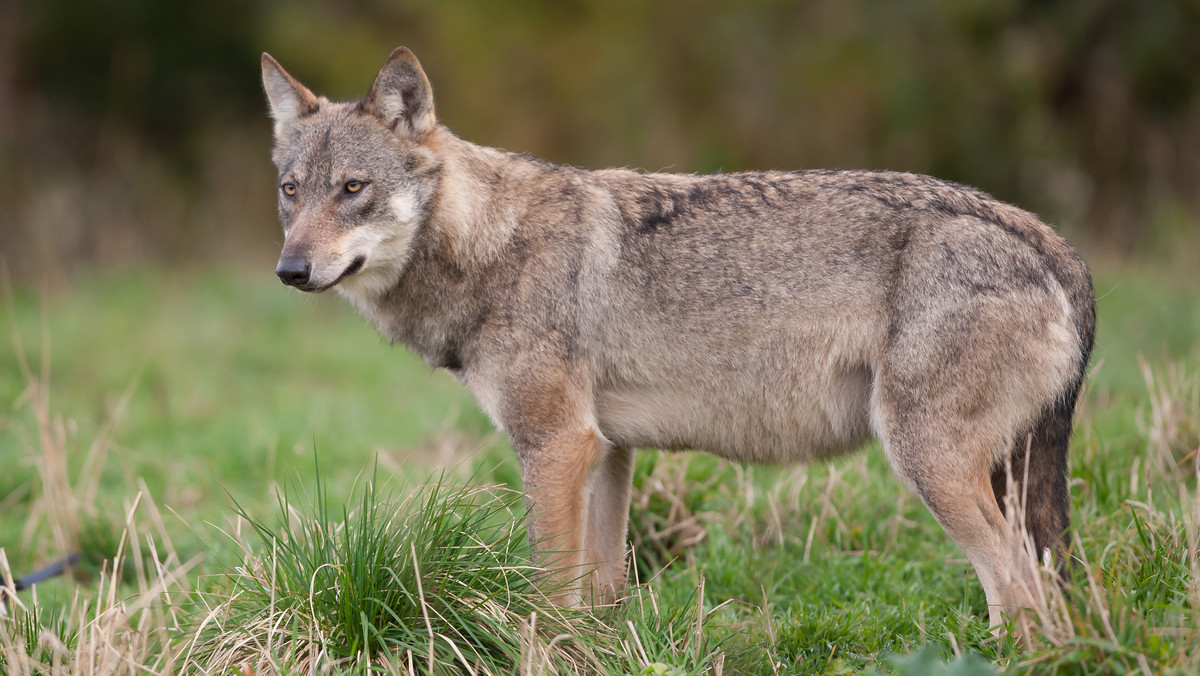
x=608, y=524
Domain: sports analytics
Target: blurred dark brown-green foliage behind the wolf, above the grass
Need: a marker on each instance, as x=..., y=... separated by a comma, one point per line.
x=135, y=131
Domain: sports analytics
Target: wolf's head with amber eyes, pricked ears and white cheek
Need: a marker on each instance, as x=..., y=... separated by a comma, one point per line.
x=356, y=180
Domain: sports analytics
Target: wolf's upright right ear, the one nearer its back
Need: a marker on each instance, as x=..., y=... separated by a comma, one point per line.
x=401, y=97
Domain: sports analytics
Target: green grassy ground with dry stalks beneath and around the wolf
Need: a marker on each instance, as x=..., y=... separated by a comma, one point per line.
x=151, y=421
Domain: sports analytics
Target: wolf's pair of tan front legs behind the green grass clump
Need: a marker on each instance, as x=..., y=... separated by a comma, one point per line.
x=578, y=484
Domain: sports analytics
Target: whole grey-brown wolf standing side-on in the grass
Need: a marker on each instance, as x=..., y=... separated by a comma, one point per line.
x=765, y=318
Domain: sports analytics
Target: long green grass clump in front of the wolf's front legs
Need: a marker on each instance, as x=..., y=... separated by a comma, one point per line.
x=440, y=581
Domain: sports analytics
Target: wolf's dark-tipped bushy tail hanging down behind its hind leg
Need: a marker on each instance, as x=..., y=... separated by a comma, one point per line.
x=1040, y=469
